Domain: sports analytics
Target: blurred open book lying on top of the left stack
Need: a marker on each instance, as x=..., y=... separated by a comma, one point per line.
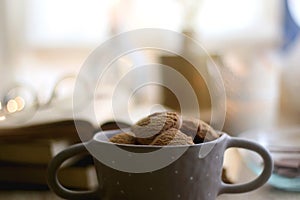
x=39, y=143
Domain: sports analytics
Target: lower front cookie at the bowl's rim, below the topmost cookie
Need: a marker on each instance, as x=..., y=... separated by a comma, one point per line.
x=172, y=137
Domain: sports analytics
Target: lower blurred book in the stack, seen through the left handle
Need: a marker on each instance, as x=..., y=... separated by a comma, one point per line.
x=77, y=176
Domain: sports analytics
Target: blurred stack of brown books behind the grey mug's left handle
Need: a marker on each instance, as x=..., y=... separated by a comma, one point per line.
x=26, y=151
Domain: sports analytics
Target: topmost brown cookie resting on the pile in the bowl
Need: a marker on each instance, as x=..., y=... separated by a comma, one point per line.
x=146, y=129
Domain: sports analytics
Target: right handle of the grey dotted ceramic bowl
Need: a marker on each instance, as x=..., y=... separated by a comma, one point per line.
x=261, y=179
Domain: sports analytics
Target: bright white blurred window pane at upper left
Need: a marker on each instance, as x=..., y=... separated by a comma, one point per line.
x=46, y=29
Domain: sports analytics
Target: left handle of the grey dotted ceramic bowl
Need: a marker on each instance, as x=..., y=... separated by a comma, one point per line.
x=53, y=181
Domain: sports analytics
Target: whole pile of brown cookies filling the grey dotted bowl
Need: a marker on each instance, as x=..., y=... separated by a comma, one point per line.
x=166, y=128
